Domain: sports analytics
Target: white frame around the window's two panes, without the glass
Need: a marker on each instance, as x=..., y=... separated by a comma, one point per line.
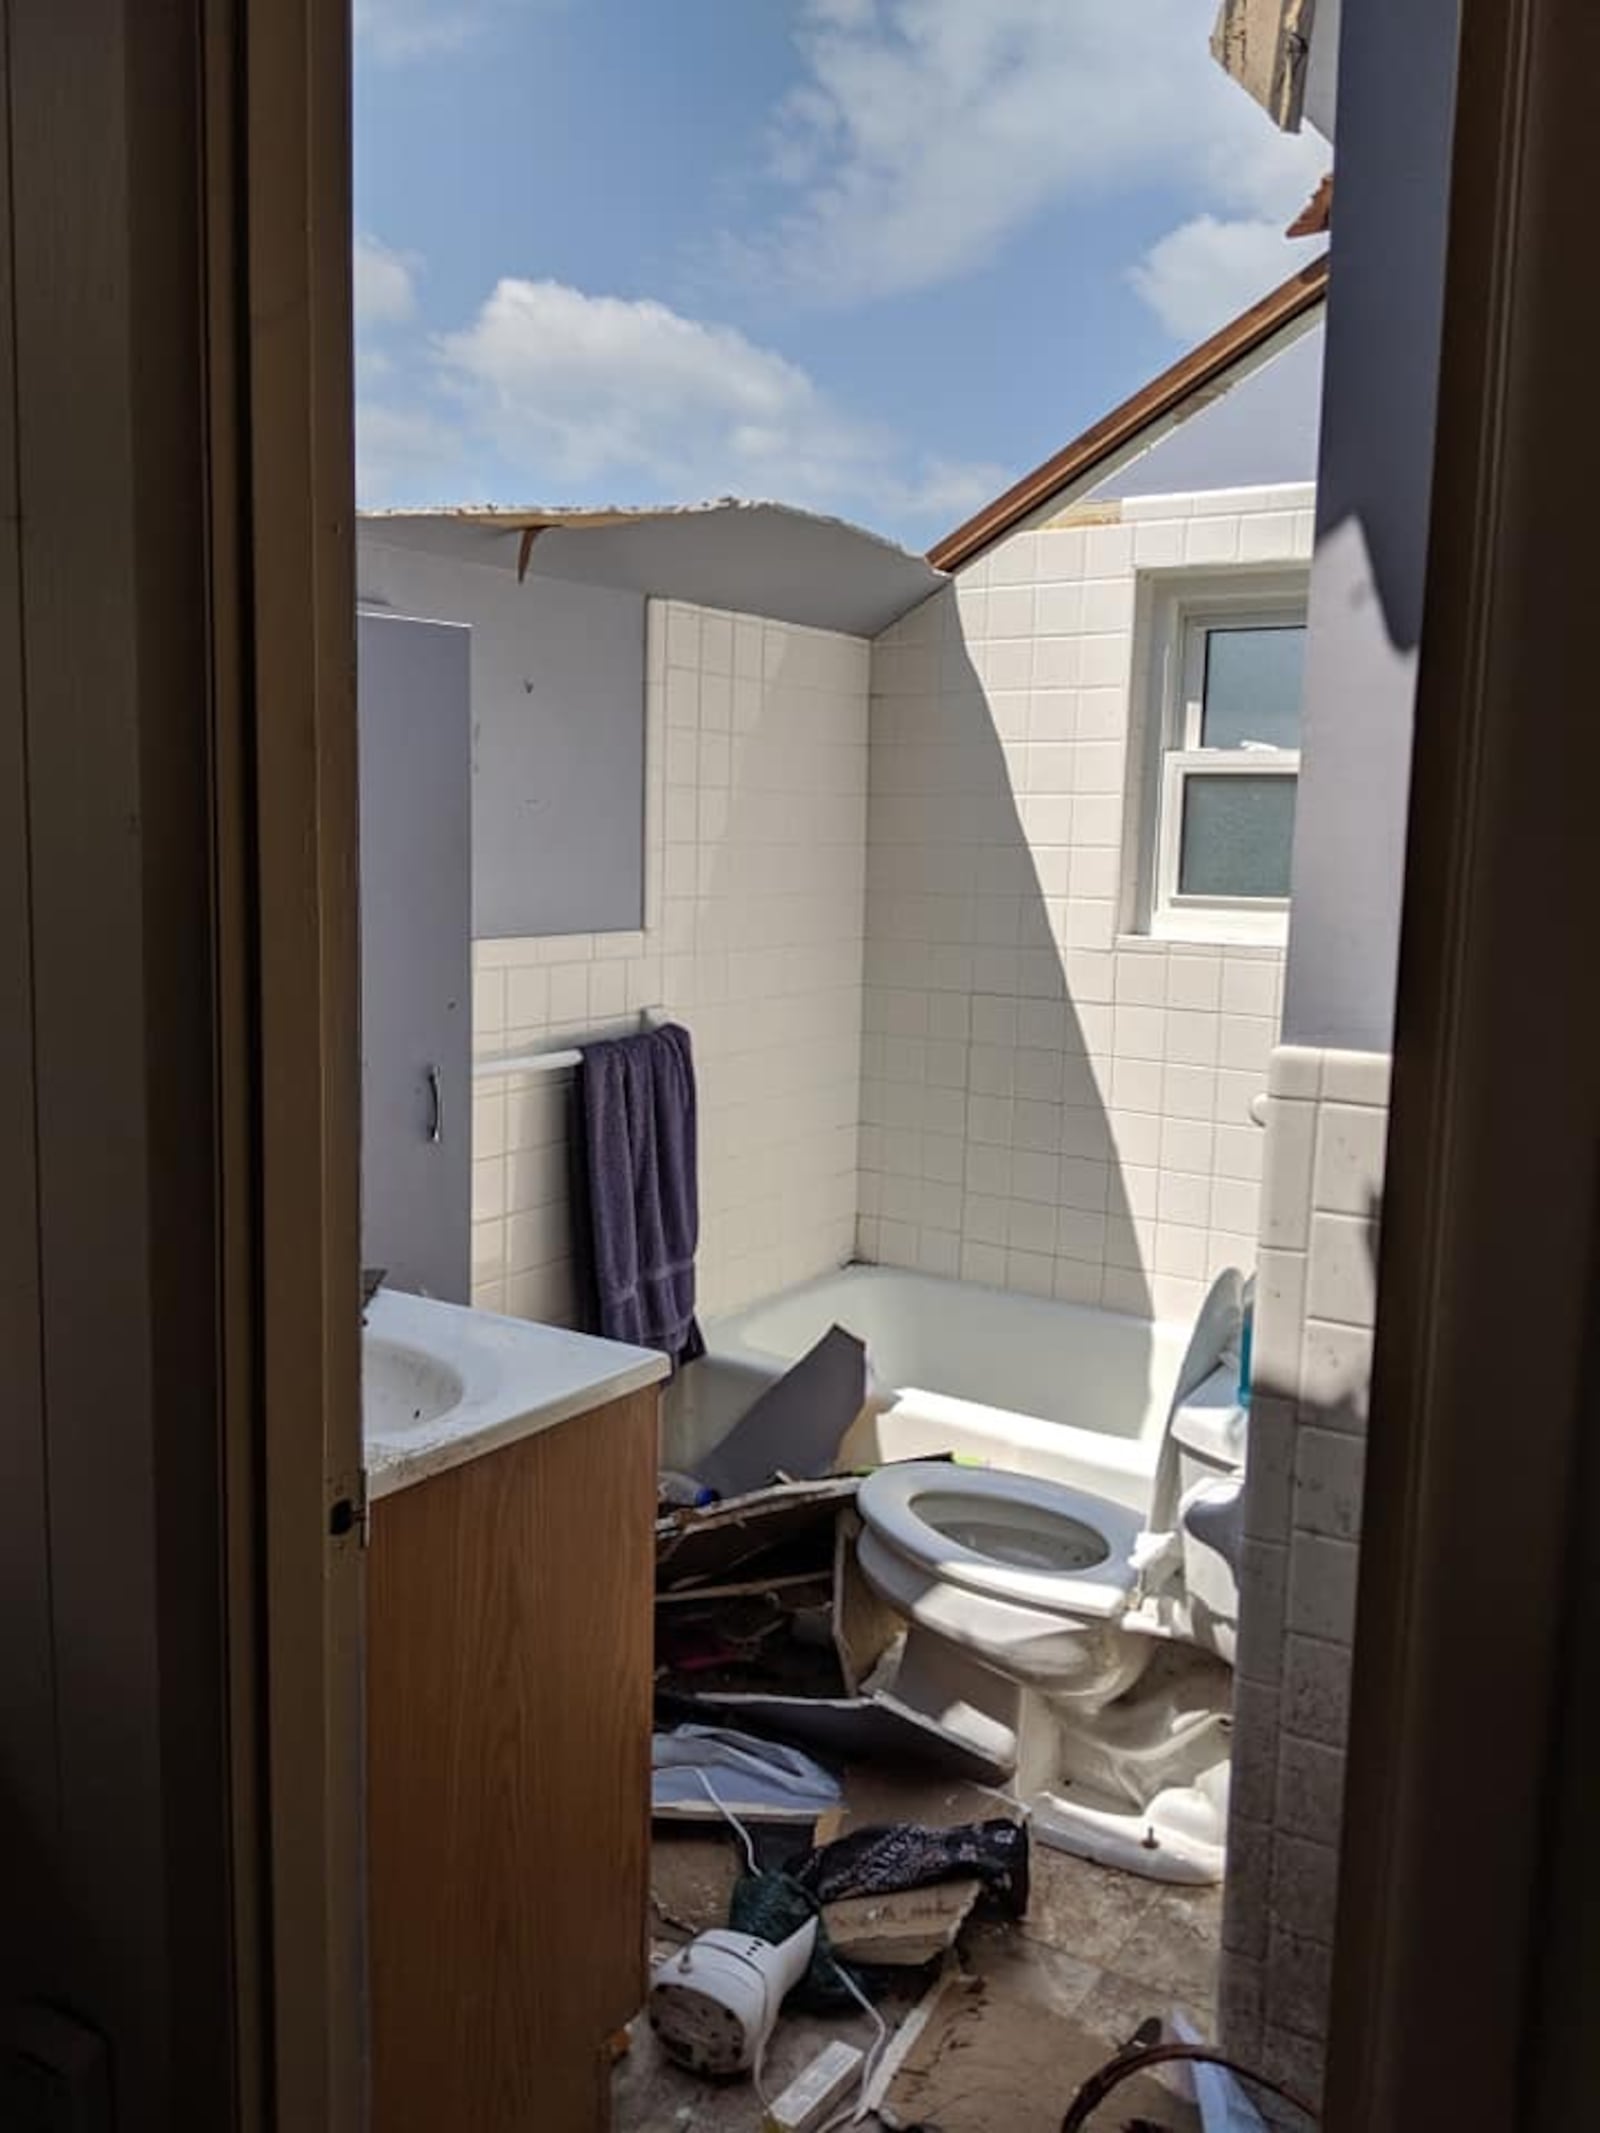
x=1187, y=615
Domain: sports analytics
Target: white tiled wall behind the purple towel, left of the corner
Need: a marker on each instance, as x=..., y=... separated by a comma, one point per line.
x=756, y=831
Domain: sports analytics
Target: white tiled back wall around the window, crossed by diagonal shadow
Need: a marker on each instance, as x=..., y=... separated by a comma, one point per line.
x=1049, y=1104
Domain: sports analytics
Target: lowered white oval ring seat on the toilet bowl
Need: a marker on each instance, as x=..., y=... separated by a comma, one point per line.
x=921, y=1509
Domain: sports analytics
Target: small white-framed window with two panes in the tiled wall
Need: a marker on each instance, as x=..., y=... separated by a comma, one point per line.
x=1230, y=684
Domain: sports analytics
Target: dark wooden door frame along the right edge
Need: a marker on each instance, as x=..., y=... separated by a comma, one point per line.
x=1488, y=1272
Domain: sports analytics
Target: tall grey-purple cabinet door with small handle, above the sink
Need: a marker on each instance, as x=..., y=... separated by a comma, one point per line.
x=417, y=955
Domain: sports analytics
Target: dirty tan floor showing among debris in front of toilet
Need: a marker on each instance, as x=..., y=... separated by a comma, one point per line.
x=1095, y=1955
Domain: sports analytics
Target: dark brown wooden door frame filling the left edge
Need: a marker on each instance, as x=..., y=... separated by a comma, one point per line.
x=180, y=1669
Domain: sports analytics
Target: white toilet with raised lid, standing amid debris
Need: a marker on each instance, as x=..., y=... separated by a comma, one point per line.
x=1081, y=1648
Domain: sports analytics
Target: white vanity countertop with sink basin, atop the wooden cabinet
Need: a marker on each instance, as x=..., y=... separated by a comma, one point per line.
x=445, y=1385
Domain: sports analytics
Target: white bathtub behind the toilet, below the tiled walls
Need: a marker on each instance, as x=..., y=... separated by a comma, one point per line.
x=1055, y=1390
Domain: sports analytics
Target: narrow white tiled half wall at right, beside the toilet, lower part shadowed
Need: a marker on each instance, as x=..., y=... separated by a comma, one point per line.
x=1313, y=1362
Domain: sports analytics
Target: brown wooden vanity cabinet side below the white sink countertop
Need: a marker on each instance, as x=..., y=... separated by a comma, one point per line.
x=509, y=1707
